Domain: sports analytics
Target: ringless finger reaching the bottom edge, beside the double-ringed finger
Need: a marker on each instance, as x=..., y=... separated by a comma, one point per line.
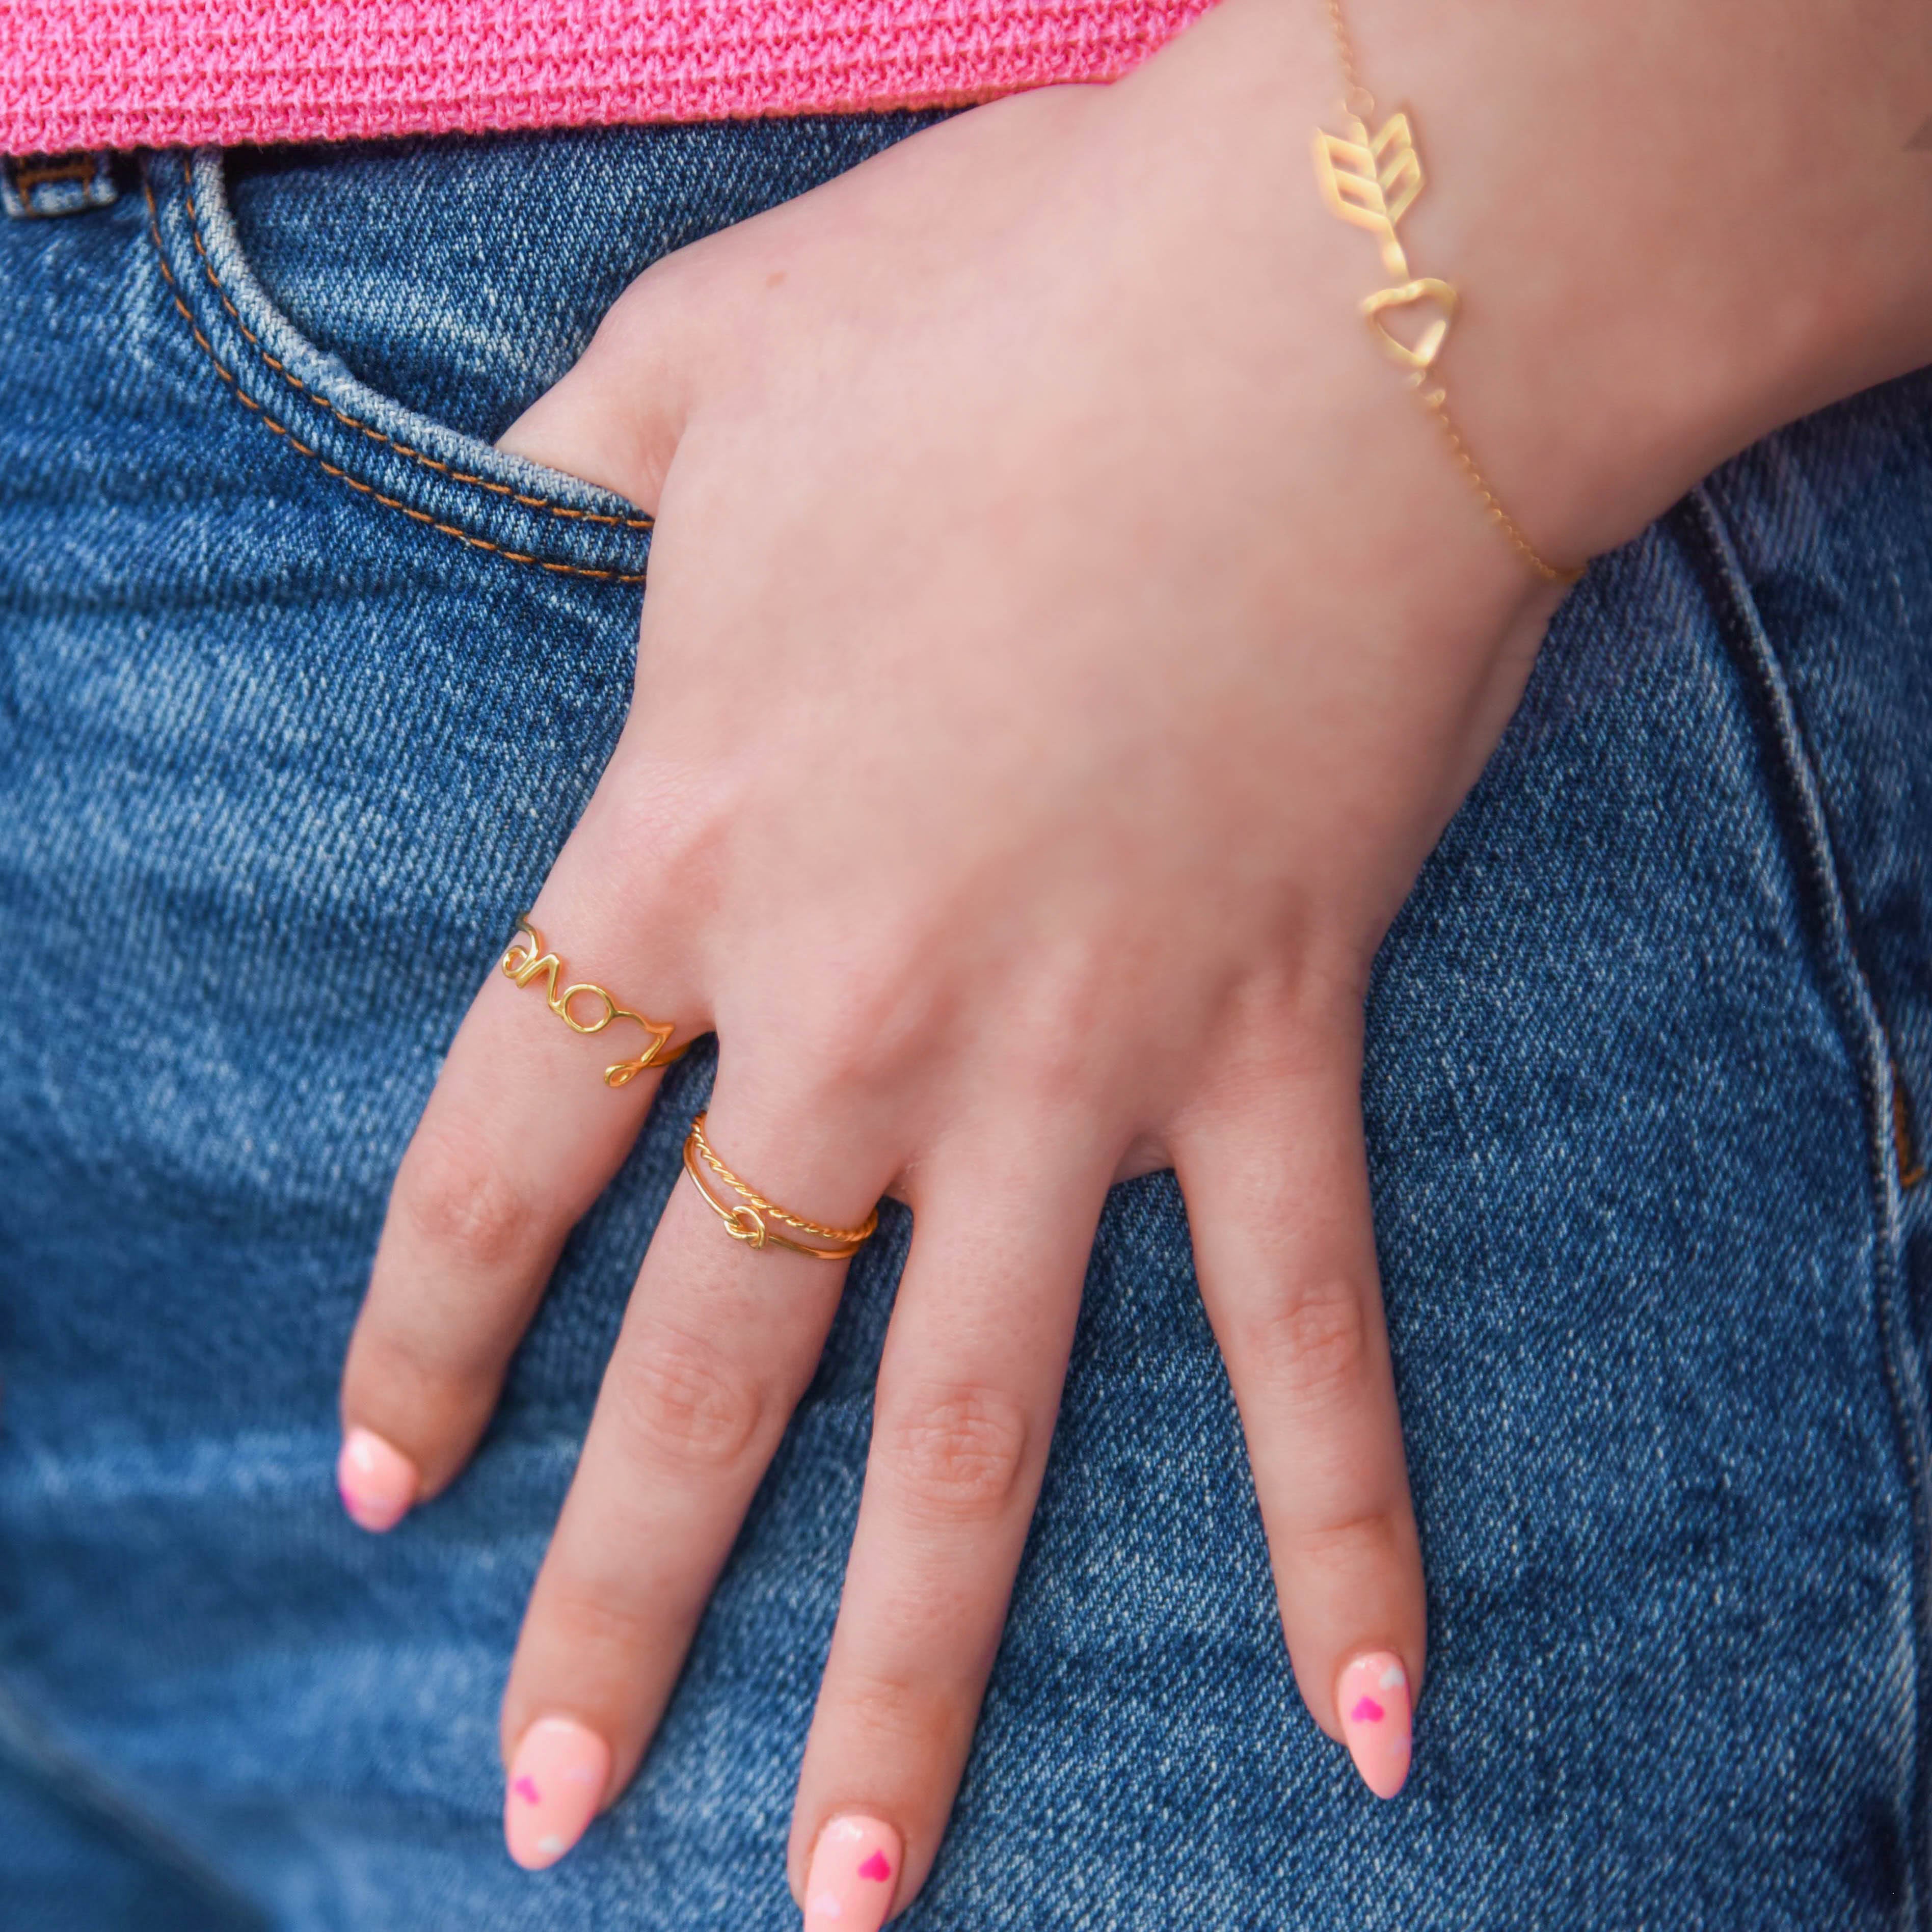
x=969, y=1392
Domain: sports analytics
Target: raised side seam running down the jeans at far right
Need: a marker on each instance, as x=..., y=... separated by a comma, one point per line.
x=1815, y=861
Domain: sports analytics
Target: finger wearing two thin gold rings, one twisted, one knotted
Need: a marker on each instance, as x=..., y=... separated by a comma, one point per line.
x=718, y=1346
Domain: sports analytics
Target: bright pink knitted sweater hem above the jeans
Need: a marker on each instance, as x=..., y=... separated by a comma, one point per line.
x=156, y=72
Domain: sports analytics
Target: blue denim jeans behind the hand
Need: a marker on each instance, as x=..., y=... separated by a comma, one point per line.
x=300, y=691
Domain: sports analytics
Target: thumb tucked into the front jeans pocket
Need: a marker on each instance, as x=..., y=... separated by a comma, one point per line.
x=619, y=414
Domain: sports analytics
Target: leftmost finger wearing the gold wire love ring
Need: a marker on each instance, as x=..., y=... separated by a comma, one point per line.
x=521, y=1135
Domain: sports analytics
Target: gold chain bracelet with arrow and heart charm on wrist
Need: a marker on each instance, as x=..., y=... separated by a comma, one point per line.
x=1371, y=181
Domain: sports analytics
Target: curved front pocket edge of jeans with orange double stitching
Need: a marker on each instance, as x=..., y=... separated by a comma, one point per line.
x=401, y=461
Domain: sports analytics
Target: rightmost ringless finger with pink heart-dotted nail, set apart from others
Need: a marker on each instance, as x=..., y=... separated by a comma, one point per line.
x=1278, y=1199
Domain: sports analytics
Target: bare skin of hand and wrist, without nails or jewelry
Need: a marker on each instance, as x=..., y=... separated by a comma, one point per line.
x=1065, y=642
